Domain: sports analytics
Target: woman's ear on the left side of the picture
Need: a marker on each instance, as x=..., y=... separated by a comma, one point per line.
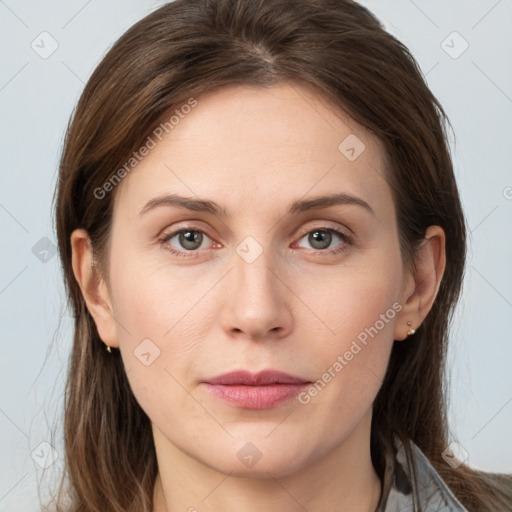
x=93, y=287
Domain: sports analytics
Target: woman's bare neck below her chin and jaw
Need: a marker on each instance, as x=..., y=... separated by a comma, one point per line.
x=343, y=479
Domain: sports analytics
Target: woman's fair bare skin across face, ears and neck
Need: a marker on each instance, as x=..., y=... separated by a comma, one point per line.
x=295, y=308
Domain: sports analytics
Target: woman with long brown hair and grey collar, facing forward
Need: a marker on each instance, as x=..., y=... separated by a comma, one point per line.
x=263, y=244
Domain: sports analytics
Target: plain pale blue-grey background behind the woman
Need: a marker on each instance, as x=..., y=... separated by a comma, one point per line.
x=36, y=99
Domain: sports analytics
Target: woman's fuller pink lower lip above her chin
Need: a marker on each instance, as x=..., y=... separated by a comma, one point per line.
x=256, y=397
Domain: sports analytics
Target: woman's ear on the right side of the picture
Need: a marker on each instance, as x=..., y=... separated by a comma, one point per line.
x=420, y=290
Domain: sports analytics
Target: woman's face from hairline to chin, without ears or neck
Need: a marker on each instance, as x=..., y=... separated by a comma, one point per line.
x=265, y=275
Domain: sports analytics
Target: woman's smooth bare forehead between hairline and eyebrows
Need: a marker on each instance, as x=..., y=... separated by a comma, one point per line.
x=247, y=144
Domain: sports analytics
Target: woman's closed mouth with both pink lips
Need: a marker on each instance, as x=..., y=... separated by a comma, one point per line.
x=262, y=390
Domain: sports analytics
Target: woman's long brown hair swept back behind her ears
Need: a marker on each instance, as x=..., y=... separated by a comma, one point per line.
x=189, y=47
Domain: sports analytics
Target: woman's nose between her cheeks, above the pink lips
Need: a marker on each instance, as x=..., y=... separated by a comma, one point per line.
x=257, y=304
